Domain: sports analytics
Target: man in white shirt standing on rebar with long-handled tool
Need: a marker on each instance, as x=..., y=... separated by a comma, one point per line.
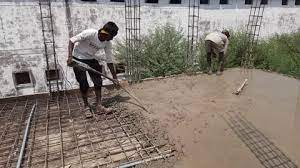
x=83, y=47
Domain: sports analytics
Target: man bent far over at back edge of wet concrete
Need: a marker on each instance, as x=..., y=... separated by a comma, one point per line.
x=217, y=43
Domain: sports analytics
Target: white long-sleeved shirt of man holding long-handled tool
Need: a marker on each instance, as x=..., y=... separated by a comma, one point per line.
x=87, y=45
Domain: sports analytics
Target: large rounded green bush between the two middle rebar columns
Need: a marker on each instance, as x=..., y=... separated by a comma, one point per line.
x=162, y=52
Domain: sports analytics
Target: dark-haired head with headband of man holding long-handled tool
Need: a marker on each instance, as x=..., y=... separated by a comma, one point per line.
x=108, y=31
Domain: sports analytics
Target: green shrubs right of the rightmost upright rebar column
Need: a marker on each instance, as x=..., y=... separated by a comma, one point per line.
x=280, y=53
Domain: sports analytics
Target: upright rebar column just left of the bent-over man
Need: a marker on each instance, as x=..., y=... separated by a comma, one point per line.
x=193, y=31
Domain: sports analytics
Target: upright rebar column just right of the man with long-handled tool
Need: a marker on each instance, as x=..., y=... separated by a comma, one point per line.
x=133, y=41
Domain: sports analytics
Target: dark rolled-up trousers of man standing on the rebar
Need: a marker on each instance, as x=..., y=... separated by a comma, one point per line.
x=82, y=78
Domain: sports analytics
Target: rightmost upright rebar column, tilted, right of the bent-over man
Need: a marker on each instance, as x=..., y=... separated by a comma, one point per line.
x=253, y=29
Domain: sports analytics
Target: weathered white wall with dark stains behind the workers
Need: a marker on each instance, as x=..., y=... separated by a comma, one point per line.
x=21, y=41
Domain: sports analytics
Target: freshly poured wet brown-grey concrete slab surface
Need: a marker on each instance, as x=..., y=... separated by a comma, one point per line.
x=189, y=108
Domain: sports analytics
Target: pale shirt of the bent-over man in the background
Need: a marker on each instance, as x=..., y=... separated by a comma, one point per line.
x=219, y=39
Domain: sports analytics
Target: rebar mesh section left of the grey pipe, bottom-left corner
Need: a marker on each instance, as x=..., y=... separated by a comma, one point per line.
x=13, y=123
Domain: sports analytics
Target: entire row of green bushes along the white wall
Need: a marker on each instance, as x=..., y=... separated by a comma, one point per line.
x=163, y=52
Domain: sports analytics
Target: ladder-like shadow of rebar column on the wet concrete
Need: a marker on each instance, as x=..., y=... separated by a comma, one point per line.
x=269, y=155
